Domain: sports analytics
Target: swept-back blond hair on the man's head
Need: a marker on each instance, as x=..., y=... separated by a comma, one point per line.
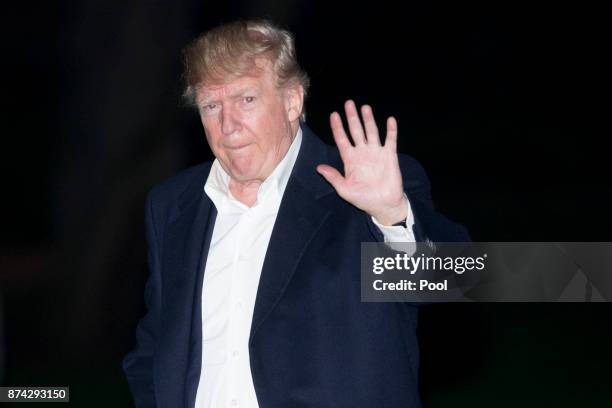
x=231, y=50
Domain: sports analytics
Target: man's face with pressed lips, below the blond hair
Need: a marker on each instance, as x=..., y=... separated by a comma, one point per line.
x=249, y=123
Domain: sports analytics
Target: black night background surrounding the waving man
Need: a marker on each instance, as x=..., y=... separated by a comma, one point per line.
x=503, y=104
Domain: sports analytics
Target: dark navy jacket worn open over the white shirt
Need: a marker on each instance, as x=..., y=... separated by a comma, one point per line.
x=313, y=343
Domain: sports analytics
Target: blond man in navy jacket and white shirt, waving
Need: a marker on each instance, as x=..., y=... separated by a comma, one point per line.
x=254, y=293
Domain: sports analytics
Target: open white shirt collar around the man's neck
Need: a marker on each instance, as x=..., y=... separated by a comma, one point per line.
x=273, y=187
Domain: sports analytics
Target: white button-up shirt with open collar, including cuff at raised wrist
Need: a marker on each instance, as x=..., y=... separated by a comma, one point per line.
x=238, y=246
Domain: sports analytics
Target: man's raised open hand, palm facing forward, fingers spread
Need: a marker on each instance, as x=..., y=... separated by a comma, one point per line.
x=372, y=178
